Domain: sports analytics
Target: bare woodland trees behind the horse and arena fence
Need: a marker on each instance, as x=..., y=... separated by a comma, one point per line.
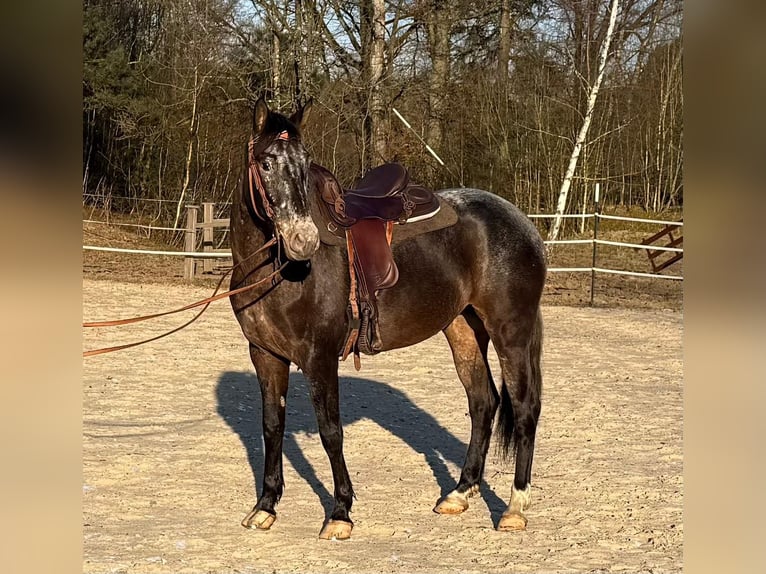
x=498, y=88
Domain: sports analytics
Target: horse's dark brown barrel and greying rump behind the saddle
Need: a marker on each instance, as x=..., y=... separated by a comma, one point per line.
x=493, y=253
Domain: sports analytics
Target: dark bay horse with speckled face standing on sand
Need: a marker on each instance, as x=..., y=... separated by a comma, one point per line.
x=477, y=281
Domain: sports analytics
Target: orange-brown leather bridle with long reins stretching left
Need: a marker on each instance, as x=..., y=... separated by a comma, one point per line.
x=255, y=183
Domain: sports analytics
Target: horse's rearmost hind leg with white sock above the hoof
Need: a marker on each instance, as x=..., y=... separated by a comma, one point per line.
x=519, y=345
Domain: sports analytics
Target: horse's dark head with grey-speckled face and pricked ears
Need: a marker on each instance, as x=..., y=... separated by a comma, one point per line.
x=278, y=177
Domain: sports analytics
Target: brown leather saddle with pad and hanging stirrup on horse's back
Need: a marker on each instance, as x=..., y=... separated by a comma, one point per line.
x=381, y=209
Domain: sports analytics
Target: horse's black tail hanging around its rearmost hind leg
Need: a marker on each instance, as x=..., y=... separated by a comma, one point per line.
x=507, y=418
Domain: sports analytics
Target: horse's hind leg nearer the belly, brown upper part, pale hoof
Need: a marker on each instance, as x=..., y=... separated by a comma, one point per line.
x=468, y=340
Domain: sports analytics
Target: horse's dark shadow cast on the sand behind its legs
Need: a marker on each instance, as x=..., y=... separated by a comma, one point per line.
x=239, y=404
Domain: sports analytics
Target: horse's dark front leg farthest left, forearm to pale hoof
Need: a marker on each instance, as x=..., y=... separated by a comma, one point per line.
x=273, y=375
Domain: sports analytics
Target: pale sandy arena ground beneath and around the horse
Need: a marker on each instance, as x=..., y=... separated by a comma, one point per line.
x=172, y=452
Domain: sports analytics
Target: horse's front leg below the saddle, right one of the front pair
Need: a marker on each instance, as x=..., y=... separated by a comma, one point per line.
x=323, y=378
